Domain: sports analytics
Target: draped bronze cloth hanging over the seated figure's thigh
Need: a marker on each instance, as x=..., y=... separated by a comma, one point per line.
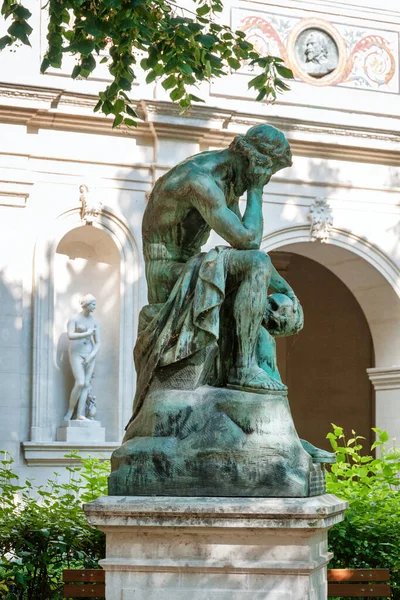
x=186, y=323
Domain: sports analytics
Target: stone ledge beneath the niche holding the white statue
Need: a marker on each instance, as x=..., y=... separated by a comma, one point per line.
x=53, y=453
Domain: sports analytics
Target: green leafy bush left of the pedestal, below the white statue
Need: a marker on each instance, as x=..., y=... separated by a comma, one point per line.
x=43, y=530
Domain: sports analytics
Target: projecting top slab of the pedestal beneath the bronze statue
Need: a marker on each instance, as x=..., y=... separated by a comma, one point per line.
x=113, y=512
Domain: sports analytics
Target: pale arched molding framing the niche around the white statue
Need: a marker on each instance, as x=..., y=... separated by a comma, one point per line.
x=42, y=426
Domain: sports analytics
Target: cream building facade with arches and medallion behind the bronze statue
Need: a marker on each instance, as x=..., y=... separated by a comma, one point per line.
x=73, y=191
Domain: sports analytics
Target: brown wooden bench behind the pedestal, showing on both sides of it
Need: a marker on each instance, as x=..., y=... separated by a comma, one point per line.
x=90, y=583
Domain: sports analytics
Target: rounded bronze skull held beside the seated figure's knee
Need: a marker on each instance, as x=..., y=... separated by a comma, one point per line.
x=280, y=318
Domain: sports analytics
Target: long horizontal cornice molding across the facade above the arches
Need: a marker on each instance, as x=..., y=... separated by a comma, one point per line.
x=45, y=108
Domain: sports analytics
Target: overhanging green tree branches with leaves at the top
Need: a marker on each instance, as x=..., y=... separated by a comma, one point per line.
x=180, y=46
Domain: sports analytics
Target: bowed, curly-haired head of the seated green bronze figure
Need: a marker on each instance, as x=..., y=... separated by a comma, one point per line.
x=264, y=150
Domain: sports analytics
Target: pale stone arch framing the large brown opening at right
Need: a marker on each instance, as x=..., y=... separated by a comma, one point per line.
x=374, y=281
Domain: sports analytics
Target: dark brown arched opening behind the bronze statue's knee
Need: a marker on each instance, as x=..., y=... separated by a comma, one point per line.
x=325, y=365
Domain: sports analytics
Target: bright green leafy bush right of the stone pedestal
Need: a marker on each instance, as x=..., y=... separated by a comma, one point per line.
x=369, y=536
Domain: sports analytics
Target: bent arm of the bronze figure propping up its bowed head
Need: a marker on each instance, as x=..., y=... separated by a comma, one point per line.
x=209, y=200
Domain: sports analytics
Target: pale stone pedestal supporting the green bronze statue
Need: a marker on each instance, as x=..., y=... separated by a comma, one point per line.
x=164, y=548
